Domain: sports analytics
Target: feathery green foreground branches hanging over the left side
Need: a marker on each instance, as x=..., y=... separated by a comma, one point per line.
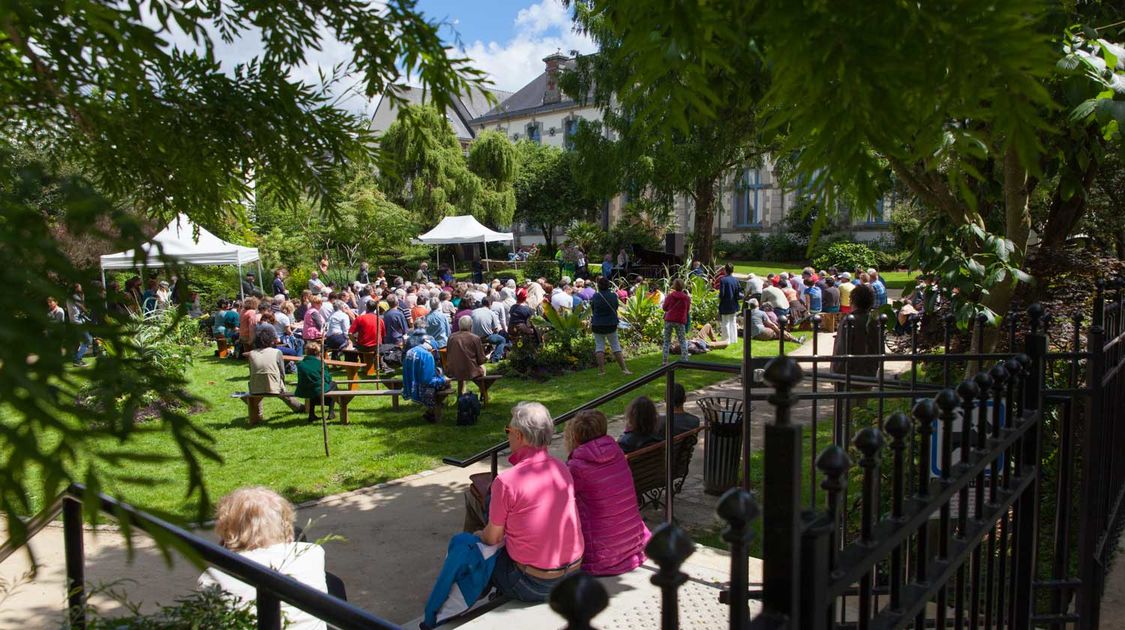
x=112, y=128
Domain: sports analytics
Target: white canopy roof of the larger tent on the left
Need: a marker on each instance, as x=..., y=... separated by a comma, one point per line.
x=178, y=244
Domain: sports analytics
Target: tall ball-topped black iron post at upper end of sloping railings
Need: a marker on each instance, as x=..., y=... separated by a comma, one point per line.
x=1023, y=598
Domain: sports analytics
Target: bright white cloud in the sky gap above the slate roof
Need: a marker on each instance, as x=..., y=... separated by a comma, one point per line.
x=541, y=30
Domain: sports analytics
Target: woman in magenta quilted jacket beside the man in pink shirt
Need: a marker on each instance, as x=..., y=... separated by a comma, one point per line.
x=613, y=530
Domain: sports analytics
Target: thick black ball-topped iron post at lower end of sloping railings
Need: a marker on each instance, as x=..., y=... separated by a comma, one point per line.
x=781, y=497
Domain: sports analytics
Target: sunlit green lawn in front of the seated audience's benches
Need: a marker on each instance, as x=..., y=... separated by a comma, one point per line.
x=287, y=454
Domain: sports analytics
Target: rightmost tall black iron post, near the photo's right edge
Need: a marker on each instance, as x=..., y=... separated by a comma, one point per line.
x=1090, y=572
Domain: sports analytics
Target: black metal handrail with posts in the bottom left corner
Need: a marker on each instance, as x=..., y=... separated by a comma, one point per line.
x=273, y=587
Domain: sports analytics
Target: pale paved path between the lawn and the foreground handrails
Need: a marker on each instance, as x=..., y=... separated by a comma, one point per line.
x=397, y=535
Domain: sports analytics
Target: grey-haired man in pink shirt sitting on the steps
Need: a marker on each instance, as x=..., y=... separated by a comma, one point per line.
x=533, y=510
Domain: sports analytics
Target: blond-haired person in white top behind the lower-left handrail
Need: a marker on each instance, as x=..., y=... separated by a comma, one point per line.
x=257, y=524
